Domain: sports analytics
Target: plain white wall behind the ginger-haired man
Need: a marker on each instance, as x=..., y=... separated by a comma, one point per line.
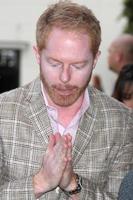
x=18, y=23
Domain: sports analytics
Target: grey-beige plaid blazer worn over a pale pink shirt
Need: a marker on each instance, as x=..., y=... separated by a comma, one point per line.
x=102, y=152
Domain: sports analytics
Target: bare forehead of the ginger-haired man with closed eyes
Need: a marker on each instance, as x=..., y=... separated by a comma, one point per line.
x=64, y=42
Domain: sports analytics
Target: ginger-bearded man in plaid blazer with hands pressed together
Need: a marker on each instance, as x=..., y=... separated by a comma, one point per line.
x=60, y=138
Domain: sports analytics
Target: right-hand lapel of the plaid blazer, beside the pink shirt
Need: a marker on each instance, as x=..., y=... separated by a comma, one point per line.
x=85, y=130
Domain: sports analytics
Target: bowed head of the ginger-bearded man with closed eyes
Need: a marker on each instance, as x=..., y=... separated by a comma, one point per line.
x=68, y=39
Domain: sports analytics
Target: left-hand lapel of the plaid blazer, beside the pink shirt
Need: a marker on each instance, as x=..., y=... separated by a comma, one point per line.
x=37, y=113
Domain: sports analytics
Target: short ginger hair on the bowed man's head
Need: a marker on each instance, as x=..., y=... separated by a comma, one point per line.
x=71, y=17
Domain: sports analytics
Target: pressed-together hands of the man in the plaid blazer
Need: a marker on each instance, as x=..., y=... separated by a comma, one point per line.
x=56, y=170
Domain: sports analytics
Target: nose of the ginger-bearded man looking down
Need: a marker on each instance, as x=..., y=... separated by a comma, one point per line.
x=65, y=74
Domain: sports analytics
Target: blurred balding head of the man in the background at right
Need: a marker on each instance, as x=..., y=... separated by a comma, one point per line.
x=120, y=52
